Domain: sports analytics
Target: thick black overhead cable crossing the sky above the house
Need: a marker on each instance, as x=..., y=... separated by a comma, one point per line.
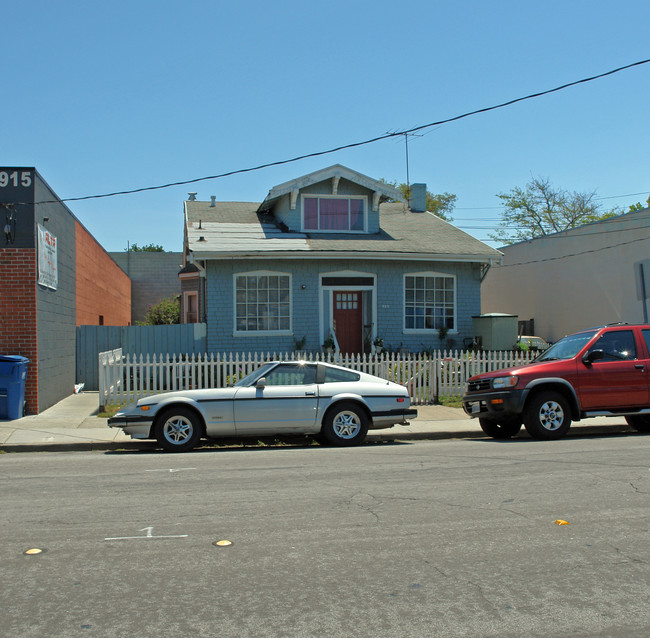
x=353, y=144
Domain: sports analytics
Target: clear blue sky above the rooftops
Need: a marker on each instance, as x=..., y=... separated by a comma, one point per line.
x=103, y=97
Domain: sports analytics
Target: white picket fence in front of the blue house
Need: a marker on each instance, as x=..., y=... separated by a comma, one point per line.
x=126, y=378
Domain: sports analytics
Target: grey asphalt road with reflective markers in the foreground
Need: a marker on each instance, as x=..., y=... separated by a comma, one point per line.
x=445, y=538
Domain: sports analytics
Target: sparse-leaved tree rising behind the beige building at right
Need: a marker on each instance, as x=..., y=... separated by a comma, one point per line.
x=540, y=209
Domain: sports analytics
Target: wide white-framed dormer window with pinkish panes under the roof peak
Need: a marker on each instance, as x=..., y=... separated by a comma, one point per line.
x=339, y=214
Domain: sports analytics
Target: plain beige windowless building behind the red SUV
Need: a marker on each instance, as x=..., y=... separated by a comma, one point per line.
x=591, y=275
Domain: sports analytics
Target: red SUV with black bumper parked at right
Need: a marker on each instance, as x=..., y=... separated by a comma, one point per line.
x=598, y=372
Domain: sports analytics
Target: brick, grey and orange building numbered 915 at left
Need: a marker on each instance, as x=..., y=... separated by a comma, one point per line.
x=54, y=276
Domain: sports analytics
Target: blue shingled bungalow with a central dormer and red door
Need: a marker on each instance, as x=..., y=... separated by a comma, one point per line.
x=333, y=254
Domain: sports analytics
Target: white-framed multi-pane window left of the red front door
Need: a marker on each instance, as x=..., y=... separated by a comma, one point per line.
x=263, y=302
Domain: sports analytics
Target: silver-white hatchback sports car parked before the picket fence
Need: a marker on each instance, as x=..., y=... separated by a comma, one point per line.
x=281, y=397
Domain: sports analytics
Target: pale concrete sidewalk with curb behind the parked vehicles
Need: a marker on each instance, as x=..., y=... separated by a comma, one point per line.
x=73, y=424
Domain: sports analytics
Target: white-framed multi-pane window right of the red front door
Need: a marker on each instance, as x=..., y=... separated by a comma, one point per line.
x=429, y=302
